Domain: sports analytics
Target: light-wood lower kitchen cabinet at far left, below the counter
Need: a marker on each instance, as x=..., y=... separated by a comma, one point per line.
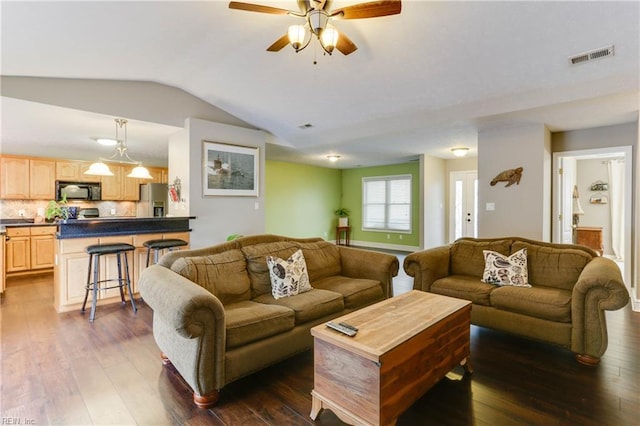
x=29, y=248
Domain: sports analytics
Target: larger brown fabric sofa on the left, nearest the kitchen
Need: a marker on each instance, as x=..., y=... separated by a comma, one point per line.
x=214, y=317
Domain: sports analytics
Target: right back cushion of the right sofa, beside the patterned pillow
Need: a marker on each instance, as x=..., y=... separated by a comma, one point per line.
x=553, y=267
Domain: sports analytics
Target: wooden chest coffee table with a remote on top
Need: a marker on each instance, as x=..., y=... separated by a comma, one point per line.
x=404, y=346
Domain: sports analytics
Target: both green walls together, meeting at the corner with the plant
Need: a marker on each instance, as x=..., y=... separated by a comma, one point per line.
x=300, y=201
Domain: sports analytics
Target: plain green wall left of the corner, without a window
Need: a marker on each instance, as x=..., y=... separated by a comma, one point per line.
x=300, y=199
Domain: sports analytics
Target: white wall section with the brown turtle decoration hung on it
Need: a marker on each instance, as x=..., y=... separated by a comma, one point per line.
x=520, y=210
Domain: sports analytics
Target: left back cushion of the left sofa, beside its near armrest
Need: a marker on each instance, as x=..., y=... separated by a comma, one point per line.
x=223, y=275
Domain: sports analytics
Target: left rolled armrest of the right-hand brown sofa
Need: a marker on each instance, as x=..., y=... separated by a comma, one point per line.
x=427, y=266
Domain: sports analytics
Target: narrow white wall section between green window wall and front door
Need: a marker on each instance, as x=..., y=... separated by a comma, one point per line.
x=434, y=212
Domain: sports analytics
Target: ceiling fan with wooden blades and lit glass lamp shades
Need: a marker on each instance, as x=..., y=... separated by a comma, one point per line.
x=318, y=14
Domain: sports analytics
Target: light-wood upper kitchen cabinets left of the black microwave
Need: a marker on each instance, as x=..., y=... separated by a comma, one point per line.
x=24, y=178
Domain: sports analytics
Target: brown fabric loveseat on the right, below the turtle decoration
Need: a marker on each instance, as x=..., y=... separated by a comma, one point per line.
x=571, y=287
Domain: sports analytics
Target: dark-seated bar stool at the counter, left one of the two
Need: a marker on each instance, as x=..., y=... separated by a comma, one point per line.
x=95, y=252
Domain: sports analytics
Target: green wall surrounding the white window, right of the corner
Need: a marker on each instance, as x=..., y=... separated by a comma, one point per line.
x=352, y=200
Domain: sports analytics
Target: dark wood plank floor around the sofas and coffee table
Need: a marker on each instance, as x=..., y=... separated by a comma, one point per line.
x=60, y=369
